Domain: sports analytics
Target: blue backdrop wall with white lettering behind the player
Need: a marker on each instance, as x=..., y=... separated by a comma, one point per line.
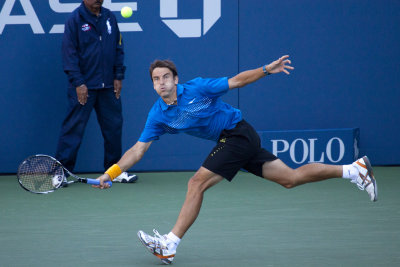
x=345, y=52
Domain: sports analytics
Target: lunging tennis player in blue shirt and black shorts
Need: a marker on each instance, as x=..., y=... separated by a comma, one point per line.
x=195, y=108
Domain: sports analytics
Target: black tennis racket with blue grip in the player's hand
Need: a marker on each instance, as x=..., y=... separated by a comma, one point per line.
x=42, y=174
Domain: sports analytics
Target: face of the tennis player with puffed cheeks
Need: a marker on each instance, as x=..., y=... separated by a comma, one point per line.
x=165, y=83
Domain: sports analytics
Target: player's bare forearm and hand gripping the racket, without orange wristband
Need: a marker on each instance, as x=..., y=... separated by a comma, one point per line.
x=130, y=158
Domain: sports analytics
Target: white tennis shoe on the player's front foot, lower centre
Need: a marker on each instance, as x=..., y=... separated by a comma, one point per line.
x=158, y=246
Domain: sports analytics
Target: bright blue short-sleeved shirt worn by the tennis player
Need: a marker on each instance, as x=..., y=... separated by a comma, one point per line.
x=200, y=112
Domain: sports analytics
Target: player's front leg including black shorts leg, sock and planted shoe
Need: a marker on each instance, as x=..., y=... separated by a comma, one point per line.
x=229, y=155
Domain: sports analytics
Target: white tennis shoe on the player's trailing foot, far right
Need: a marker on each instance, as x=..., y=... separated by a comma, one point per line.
x=365, y=179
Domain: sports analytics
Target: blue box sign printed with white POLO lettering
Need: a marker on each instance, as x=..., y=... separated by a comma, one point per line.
x=296, y=148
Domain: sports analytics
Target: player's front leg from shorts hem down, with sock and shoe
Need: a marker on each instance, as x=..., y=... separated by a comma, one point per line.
x=164, y=247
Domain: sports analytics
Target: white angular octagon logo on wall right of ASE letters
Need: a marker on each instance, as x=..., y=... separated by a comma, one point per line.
x=186, y=28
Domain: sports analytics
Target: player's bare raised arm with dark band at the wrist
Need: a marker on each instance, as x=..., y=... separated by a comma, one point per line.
x=249, y=76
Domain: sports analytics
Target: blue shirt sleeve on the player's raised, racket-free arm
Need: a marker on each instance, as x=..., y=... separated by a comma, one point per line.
x=211, y=87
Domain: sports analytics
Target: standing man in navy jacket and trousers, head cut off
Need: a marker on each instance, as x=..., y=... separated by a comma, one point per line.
x=93, y=59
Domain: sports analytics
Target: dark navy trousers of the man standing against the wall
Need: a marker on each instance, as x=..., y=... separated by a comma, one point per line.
x=109, y=115
